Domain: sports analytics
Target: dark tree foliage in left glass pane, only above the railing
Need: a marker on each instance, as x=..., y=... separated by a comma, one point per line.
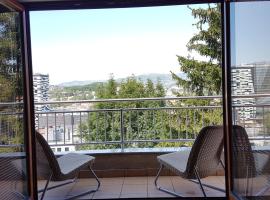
x=10, y=57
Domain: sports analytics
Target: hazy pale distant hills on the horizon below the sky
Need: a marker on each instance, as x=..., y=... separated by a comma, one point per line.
x=166, y=80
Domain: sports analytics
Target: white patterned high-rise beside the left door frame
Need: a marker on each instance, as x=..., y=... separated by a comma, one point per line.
x=41, y=90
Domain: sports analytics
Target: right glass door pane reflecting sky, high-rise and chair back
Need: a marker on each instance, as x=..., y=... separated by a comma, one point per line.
x=251, y=86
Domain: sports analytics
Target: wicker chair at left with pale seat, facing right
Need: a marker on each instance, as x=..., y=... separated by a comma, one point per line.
x=60, y=169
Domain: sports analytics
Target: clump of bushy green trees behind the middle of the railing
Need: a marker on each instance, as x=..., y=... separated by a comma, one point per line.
x=105, y=123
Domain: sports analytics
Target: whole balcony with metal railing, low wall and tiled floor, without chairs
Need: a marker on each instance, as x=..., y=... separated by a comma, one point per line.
x=126, y=141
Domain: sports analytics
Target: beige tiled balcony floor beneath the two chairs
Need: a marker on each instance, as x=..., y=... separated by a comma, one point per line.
x=134, y=187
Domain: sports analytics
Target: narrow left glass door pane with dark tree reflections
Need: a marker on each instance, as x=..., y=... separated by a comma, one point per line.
x=12, y=162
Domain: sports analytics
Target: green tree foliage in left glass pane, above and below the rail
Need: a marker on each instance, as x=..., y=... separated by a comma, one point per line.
x=11, y=125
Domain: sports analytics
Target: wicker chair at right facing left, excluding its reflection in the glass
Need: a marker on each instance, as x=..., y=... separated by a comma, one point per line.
x=202, y=161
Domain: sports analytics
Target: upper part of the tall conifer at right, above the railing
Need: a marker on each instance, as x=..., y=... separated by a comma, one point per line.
x=203, y=77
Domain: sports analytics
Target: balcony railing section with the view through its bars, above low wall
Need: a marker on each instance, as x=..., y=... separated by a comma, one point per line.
x=143, y=129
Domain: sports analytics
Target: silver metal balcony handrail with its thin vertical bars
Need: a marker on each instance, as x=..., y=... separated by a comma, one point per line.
x=124, y=122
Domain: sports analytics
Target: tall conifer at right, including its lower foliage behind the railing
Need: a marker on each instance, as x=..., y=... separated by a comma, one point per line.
x=202, y=77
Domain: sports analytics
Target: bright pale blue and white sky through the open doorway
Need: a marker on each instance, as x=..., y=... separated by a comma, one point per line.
x=92, y=44
